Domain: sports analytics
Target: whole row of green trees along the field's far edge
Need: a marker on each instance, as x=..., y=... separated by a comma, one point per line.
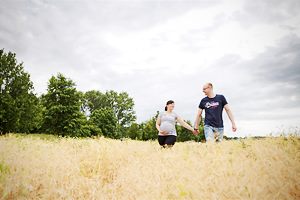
x=65, y=111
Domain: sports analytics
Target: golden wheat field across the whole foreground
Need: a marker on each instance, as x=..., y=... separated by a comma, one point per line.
x=48, y=167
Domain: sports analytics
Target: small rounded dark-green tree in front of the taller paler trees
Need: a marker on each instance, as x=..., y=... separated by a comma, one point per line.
x=106, y=121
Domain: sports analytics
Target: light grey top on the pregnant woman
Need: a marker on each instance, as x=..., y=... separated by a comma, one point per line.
x=167, y=123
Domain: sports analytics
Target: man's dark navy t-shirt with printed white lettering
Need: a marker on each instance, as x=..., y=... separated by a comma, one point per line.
x=213, y=110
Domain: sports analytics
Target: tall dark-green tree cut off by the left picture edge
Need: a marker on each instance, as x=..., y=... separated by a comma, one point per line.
x=18, y=104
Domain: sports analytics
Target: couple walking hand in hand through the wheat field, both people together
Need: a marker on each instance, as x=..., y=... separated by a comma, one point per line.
x=212, y=104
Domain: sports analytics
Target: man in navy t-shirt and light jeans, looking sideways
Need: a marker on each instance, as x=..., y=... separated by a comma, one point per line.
x=213, y=104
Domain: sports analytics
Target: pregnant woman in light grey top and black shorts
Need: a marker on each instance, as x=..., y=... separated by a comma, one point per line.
x=165, y=125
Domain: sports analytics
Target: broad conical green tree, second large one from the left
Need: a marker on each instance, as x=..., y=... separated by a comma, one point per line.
x=62, y=104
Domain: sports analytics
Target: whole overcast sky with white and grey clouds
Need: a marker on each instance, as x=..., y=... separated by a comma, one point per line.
x=161, y=50
